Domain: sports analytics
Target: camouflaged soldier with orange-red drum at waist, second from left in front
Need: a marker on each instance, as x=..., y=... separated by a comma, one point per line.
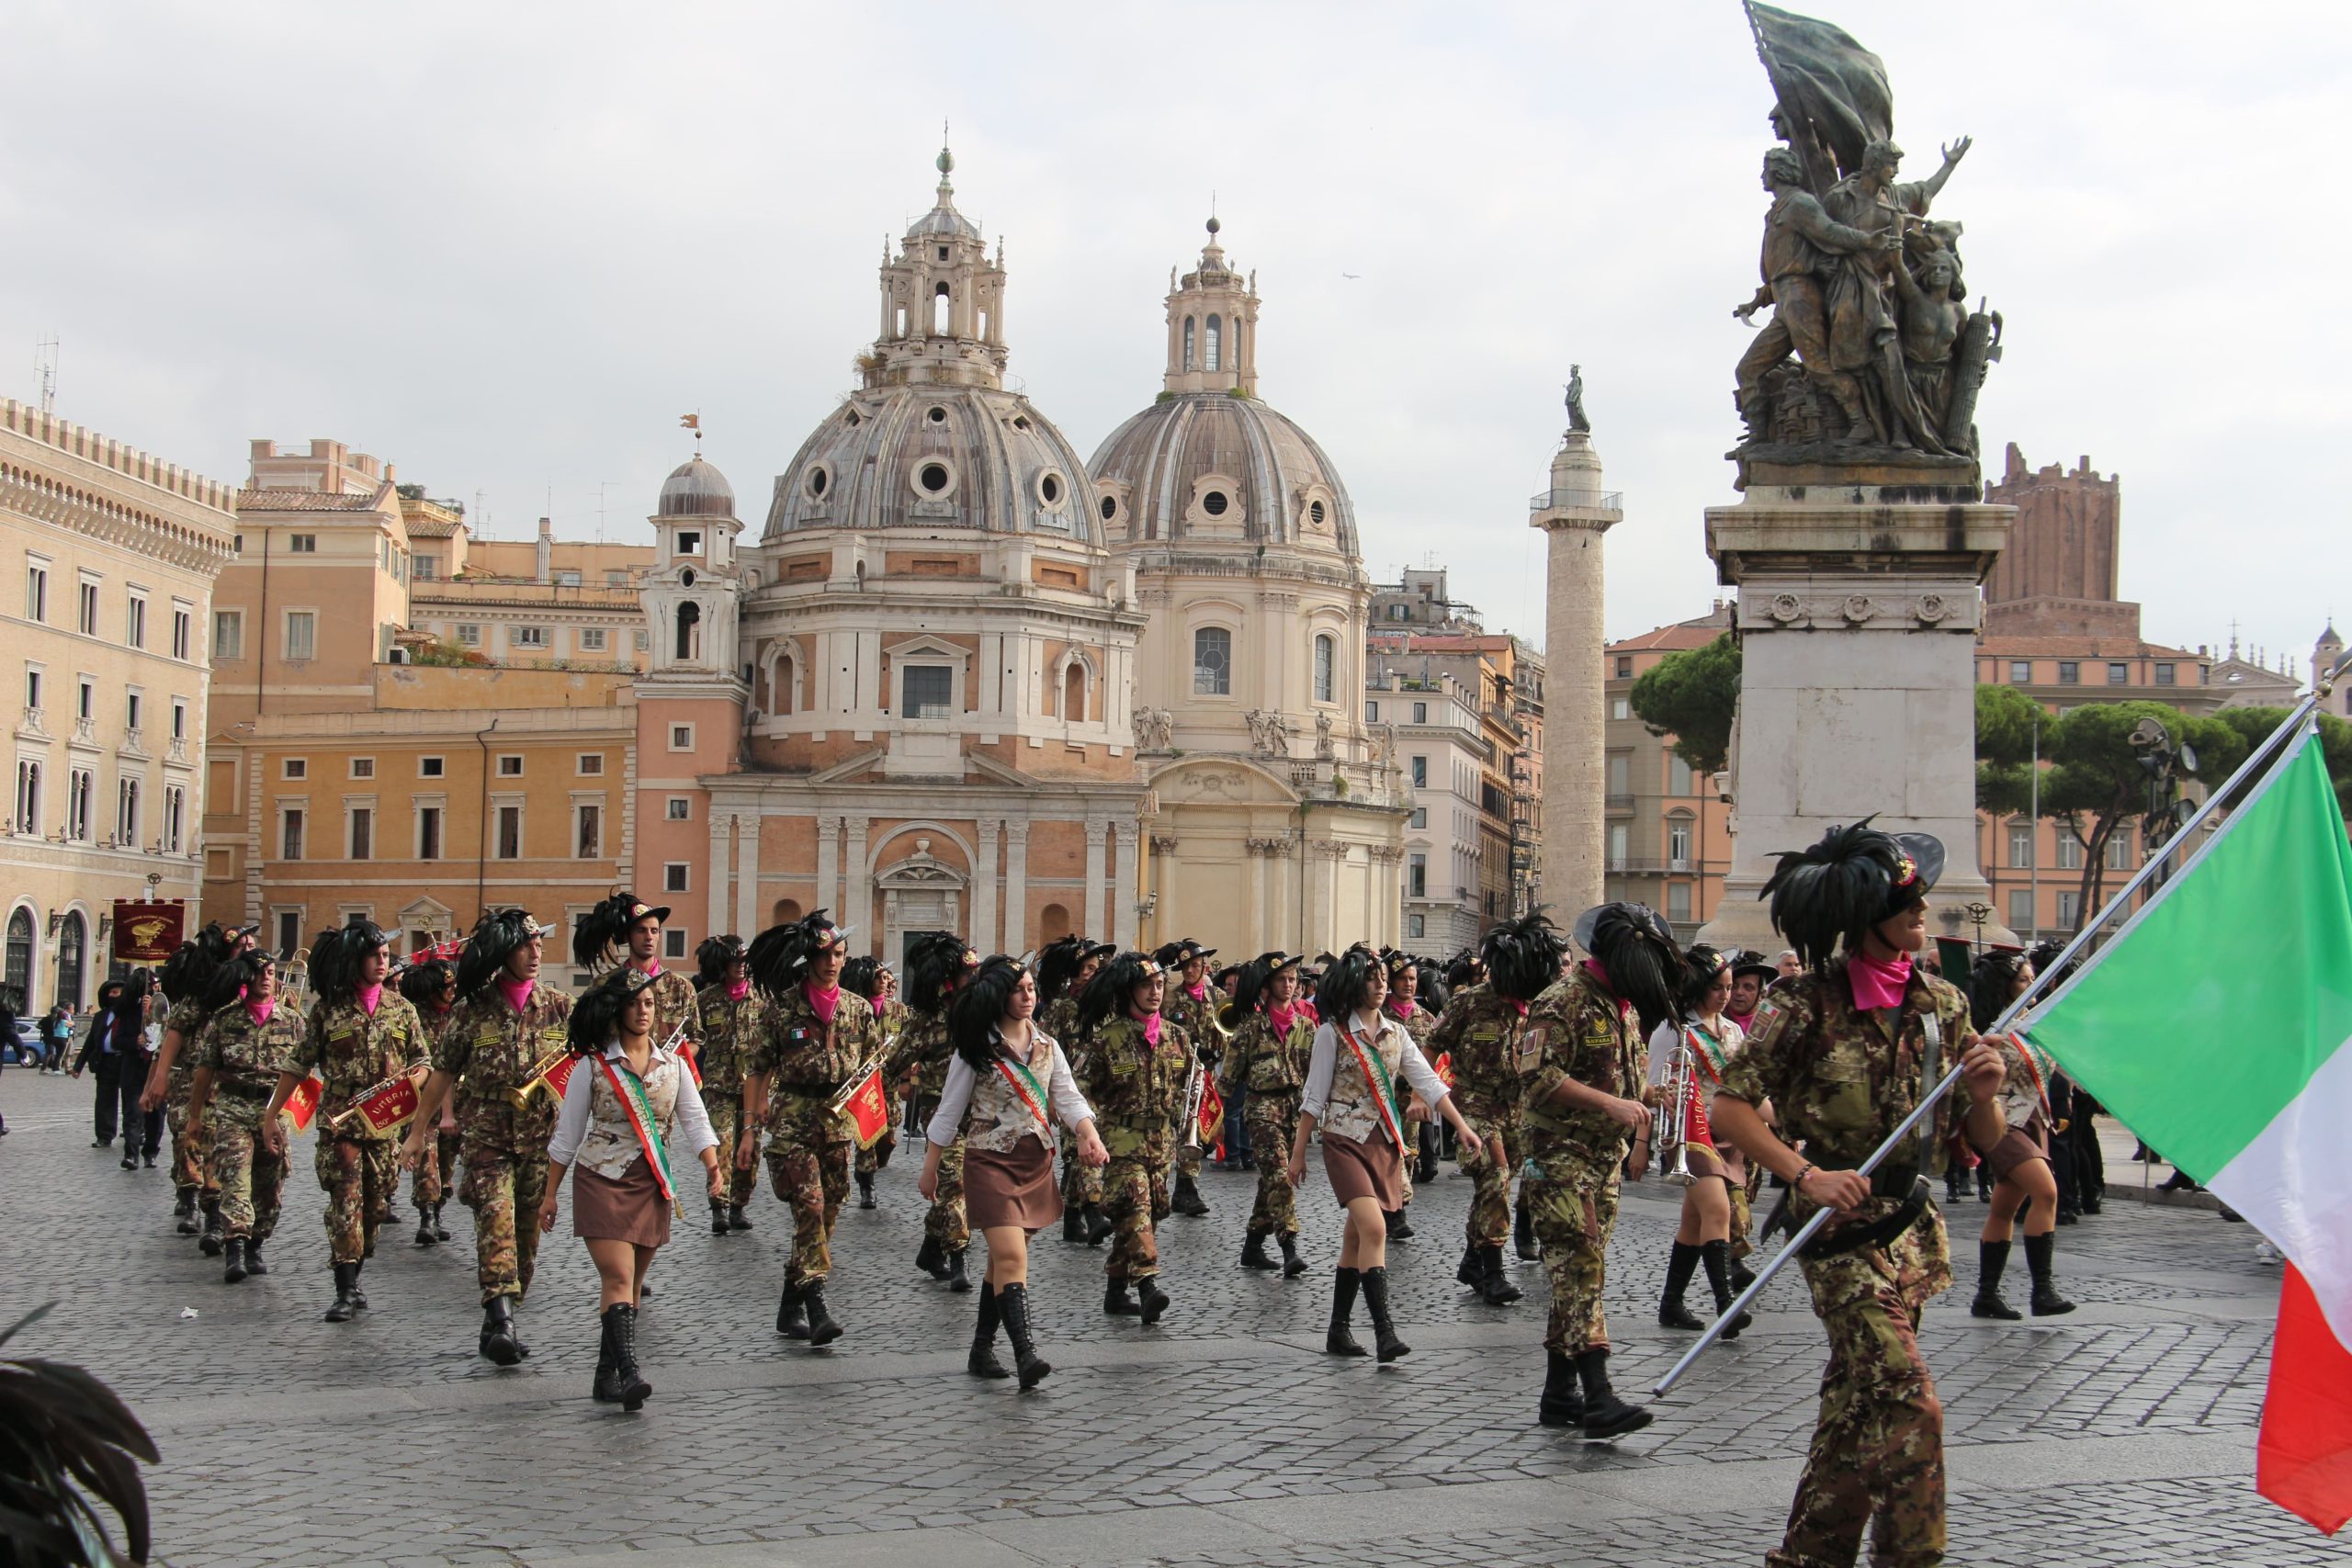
x=359, y=1040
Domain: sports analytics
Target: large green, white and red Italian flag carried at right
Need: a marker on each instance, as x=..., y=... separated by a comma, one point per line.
x=2219, y=1028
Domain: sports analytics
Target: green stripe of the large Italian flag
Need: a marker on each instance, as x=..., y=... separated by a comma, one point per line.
x=2214, y=1007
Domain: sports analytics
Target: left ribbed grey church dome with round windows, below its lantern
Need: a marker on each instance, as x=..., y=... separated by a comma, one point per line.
x=937, y=457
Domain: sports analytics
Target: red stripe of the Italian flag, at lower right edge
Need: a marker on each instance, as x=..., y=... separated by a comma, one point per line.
x=2304, y=1461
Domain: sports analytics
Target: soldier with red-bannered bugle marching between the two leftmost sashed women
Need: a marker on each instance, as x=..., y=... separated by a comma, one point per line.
x=820, y=1043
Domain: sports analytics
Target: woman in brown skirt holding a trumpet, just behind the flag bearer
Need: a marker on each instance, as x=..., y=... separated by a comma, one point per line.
x=1697, y=1059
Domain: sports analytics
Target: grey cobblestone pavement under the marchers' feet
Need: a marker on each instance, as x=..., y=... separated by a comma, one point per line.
x=2123, y=1433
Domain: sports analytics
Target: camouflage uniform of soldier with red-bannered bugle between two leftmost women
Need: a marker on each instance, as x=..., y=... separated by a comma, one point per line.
x=808, y=1141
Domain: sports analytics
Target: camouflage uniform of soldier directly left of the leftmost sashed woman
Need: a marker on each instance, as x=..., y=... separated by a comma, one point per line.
x=502, y=1132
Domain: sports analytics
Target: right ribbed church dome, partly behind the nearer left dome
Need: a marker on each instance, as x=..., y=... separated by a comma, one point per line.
x=1220, y=467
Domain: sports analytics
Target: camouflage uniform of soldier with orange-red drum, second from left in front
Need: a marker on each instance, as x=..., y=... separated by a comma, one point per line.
x=359, y=1170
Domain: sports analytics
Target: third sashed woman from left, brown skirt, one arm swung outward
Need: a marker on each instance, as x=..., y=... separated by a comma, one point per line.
x=1361, y=1052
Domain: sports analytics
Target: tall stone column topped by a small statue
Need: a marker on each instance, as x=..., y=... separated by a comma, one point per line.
x=1575, y=514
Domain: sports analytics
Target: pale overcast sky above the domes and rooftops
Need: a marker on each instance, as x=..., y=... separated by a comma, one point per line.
x=507, y=246
